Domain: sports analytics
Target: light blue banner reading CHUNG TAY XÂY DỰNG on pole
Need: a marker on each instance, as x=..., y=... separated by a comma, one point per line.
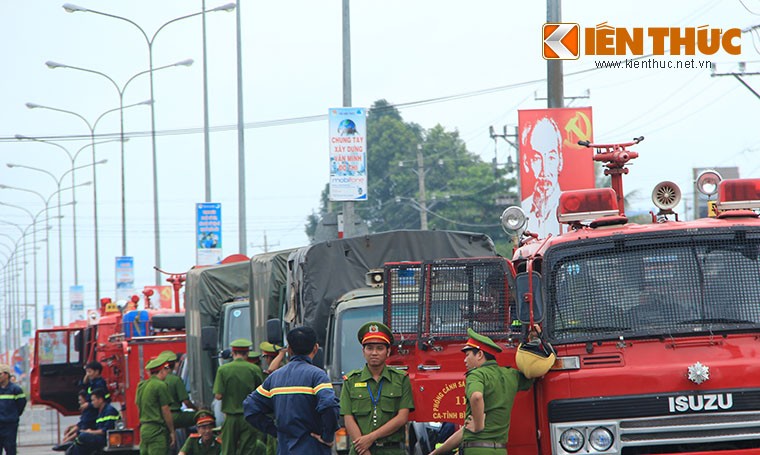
x=348, y=154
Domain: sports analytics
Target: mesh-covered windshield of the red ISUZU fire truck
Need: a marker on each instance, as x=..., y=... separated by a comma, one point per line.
x=679, y=283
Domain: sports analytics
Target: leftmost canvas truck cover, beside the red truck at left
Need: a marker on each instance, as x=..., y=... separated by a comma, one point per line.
x=206, y=290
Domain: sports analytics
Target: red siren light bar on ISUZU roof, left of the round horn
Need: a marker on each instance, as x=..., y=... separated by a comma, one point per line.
x=581, y=205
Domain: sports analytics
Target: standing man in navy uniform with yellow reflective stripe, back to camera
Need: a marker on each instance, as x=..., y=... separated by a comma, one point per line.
x=302, y=399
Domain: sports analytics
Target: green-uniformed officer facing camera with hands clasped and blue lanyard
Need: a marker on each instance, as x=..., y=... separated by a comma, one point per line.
x=375, y=401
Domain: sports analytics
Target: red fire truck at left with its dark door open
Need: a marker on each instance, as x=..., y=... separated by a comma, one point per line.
x=122, y=340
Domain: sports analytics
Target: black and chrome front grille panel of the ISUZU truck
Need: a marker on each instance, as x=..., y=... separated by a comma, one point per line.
x=646, y=424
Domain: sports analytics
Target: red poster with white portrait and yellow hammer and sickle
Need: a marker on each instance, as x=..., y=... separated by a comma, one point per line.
x=551, y=161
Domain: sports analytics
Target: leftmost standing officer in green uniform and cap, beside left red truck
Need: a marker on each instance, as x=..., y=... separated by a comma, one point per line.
x=152, y=400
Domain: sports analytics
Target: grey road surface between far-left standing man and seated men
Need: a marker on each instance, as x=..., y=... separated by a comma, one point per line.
x=39, y=430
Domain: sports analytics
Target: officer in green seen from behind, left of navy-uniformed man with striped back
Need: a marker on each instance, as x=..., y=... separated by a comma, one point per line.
x=234, y=381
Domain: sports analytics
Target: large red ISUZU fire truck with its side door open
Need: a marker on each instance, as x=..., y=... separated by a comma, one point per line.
x=656, y=326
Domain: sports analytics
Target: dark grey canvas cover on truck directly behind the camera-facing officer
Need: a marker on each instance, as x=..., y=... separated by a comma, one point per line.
x=319, y=274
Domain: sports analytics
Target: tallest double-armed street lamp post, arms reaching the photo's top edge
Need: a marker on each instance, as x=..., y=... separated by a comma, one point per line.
x=149, y=41
